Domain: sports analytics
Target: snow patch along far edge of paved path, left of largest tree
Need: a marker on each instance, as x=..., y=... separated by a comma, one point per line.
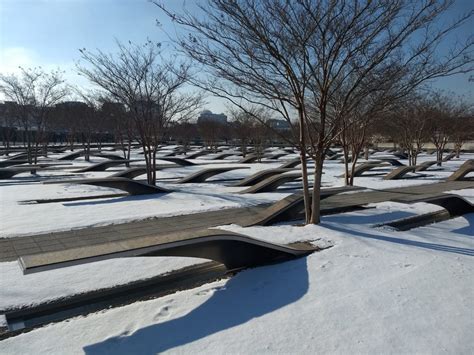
x=18, y=219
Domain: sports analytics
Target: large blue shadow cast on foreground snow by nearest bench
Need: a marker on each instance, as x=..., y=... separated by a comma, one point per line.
x=248, y=295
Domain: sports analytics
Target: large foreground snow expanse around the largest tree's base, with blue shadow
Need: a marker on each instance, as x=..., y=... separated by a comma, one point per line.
x=372, y=292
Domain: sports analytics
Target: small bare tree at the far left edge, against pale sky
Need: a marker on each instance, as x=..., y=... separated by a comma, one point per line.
x=35, y=92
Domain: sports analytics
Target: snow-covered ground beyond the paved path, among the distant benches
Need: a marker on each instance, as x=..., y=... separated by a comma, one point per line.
x=26, y=219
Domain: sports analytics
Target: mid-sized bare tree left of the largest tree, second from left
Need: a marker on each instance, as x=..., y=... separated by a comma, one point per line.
x=150, y=89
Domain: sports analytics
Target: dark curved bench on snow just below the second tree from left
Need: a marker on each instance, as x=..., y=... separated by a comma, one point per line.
x=131, y=186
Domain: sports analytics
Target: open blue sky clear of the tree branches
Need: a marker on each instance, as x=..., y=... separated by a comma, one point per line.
x=48, y=33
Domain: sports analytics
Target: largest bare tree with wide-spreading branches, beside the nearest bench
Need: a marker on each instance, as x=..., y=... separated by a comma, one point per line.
x=297, y=57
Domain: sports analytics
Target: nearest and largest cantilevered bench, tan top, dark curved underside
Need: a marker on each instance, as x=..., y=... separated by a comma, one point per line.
x=235, y=251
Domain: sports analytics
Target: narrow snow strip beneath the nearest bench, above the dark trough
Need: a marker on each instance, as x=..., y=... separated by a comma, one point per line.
x=18, y=290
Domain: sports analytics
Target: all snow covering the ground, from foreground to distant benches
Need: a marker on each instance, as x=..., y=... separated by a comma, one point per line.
x=374, y=291
